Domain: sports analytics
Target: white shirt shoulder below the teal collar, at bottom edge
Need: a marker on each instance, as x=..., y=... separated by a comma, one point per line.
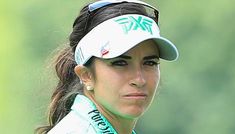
x=73, y=124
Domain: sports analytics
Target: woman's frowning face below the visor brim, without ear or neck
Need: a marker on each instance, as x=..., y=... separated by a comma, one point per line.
x=127, y=84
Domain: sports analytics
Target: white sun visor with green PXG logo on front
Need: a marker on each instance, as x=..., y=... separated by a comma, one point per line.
x=116, y=36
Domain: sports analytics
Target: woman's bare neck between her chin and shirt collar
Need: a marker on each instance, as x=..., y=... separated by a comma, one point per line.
x=121, y=124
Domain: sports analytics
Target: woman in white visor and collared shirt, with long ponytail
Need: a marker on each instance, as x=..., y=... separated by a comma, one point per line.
x=109, y=74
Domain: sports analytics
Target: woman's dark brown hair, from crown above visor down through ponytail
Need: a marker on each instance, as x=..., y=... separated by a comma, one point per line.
x=69, y=84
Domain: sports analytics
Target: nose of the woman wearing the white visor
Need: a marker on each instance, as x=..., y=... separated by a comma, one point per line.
x=138, y=80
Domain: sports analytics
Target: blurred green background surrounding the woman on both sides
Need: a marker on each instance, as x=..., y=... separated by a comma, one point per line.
x=197, y=93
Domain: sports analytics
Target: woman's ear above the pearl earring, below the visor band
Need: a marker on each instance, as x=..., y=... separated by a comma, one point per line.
x=84, y=74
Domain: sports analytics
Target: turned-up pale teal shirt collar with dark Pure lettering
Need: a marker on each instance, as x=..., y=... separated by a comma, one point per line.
x=86, y=108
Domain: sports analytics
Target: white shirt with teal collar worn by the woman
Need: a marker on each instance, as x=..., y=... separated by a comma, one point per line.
x=84, y=118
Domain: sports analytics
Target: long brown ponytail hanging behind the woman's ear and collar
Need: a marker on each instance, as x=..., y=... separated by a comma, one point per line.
x=66, y=90
